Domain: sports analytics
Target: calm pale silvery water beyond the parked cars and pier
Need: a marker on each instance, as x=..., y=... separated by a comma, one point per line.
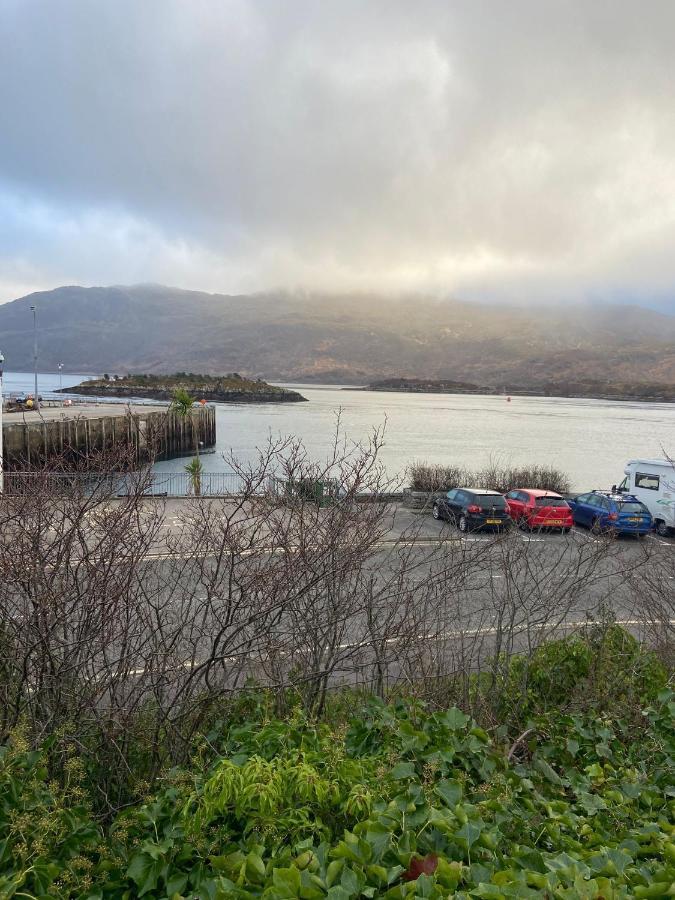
x=589, y=439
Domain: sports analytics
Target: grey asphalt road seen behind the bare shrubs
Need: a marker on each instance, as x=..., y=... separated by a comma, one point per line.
x=433, y=588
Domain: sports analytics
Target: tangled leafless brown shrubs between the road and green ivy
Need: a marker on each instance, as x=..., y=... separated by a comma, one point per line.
x=128, y=625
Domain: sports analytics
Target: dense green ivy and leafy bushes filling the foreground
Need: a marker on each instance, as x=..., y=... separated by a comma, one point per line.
x=402, y=801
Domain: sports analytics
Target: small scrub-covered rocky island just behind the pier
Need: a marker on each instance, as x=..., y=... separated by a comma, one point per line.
x=232, y=388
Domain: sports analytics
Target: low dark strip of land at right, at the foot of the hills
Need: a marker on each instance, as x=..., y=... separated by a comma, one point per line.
x=643, y=392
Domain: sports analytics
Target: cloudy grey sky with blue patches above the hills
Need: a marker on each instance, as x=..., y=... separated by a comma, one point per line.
x=520, y=152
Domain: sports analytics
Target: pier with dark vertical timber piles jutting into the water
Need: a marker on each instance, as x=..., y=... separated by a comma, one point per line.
x=31, y=439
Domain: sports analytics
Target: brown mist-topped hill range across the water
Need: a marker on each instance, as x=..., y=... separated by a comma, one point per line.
x=350, y=339
